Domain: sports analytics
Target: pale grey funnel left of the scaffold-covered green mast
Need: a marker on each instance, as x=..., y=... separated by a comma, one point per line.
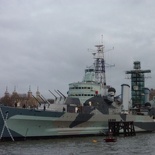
x=125, y=98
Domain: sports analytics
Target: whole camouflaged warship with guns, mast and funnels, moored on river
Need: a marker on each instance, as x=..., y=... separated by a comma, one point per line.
x=86, y=110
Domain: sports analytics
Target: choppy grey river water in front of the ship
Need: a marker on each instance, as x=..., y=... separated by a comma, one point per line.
x=141, y=144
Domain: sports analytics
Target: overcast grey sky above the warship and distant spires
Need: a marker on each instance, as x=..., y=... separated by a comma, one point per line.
x=44, y=43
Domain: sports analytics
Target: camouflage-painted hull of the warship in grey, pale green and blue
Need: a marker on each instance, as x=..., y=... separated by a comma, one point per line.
x=26, y=123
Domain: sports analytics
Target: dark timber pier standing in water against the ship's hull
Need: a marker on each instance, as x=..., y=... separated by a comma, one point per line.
x=122, y=127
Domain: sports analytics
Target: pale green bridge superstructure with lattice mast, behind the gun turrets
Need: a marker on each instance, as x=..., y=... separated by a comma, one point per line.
x=94, y=81
